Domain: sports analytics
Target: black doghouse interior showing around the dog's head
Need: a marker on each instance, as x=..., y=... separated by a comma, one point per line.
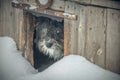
x=42, y=61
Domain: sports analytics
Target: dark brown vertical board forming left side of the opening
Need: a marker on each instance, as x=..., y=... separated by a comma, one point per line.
x=29, y=42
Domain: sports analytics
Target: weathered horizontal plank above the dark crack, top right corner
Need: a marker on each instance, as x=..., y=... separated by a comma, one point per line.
x=99, y=3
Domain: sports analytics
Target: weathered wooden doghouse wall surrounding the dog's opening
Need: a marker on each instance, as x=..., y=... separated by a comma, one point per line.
x=91, y=27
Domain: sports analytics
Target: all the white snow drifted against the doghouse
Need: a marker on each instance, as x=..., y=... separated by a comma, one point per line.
x=72, y=67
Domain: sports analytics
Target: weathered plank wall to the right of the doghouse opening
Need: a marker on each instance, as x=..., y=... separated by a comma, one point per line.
x=95, y=35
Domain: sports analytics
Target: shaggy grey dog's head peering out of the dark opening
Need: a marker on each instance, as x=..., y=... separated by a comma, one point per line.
x=50, y=38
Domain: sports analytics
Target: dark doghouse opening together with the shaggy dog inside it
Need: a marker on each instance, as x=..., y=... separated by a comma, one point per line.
x=48, y=40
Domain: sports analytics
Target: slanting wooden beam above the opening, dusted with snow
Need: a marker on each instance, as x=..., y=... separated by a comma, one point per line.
x=45, y=11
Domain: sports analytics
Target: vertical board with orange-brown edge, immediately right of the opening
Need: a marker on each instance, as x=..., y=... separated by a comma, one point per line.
x=71, y=29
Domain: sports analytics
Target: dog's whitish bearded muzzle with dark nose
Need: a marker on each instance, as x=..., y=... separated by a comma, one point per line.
x=51, y=48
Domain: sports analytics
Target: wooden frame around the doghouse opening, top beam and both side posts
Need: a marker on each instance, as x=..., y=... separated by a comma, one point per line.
x=28, y=29
